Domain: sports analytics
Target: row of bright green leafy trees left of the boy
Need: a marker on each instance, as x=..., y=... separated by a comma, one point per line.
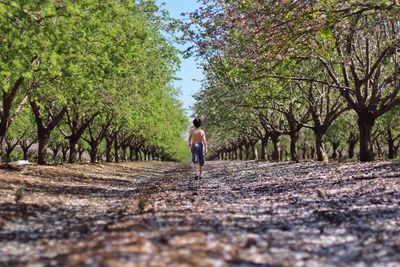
x=88, y=76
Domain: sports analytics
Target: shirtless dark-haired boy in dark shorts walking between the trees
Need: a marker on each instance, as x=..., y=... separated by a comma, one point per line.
x=198, y=144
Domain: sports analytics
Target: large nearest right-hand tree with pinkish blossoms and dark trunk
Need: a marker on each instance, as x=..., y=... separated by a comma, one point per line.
x=357, y=44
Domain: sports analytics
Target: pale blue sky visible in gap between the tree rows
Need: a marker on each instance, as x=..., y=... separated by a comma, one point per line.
x=190, y=75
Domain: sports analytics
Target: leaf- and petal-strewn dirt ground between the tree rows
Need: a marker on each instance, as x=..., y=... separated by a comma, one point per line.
x=239, y=214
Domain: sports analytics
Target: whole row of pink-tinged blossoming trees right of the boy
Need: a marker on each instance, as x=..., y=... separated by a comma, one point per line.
x=299, y=69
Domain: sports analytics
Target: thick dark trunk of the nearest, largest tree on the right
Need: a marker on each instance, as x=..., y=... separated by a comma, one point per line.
x=365, y=125
